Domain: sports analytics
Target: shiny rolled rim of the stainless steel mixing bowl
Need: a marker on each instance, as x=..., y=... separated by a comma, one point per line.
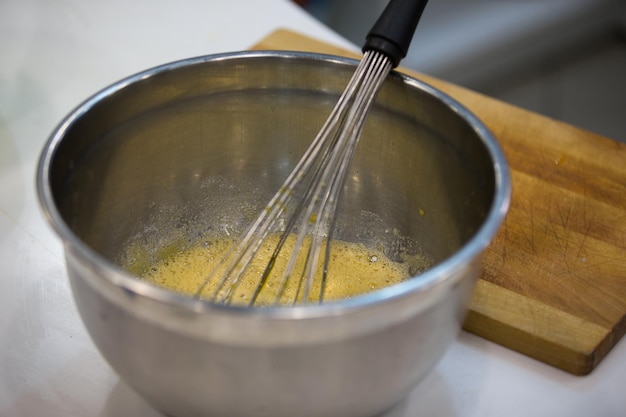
x=128, y=282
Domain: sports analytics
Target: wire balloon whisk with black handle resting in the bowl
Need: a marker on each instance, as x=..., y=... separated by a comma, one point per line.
x=305, y=205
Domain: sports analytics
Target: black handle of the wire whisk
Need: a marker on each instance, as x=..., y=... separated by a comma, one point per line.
x=394, y=29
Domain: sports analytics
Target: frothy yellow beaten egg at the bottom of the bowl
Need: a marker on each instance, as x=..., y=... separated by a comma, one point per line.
x=353, y=269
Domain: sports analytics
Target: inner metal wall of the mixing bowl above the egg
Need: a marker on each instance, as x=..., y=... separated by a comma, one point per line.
x=196, y=149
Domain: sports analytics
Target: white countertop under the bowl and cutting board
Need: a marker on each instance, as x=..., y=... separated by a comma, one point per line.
x=53, y=54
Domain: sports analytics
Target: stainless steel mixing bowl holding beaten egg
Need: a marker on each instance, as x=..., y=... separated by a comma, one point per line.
x=199, y=145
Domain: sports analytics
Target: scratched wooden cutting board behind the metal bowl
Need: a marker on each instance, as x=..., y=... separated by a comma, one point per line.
x=554, y=281
